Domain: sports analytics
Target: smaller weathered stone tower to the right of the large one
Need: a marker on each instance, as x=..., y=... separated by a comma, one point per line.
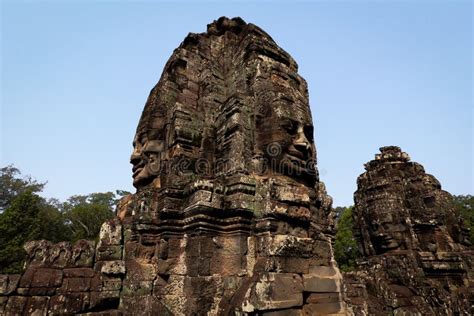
x=417, y=259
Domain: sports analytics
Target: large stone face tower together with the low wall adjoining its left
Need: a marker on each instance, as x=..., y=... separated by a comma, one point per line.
x=229, y=218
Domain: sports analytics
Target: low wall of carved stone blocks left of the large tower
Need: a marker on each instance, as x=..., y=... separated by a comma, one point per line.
x=65, y=279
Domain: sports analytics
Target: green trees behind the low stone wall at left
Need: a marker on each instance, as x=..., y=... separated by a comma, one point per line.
x=24, y=216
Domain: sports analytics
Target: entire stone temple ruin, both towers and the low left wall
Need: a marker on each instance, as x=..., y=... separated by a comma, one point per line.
x=230, y=216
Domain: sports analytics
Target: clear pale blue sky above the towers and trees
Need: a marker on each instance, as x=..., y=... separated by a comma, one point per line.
x=76, y=75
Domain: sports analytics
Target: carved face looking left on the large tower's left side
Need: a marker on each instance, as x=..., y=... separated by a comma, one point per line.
x=146, y=159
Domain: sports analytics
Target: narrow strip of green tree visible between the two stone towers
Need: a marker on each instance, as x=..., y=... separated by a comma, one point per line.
x=345, y=246
